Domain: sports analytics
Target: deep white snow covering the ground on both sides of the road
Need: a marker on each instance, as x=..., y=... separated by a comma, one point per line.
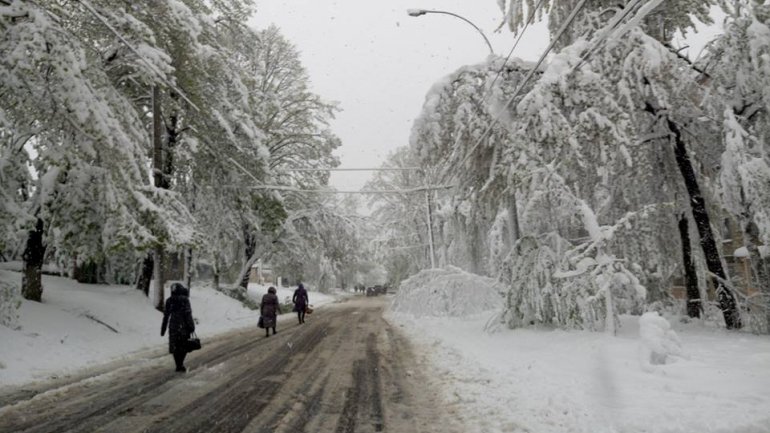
x=524, y=380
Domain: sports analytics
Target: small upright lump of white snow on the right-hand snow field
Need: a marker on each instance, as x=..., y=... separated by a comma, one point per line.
x=660, y=344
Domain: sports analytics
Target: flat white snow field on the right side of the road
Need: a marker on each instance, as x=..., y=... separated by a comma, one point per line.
x=543, y=381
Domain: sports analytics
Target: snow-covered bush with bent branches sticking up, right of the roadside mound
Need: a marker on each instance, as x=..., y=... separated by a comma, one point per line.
x=573, y=285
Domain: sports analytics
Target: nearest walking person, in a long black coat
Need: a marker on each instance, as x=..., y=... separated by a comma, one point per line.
x=177, y=318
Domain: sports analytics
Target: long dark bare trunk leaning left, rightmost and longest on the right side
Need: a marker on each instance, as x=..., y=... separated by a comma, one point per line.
x=700, y=215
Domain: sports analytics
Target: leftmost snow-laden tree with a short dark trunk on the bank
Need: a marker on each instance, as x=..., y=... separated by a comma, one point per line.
x=81, y=130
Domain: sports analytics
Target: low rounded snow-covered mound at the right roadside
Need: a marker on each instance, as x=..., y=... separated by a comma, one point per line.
x=446, y=292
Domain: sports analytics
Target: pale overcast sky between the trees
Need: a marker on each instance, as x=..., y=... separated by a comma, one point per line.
x=378, y=62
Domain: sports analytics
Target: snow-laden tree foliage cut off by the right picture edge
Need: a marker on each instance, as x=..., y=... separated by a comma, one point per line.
x=738, y=64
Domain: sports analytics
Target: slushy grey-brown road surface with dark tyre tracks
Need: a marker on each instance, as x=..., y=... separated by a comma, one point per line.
x=344, y=370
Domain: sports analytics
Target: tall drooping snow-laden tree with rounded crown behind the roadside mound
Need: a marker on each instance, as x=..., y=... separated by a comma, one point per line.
x=457, y=141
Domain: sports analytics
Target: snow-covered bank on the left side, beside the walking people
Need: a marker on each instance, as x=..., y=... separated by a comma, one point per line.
x=64, y=334
